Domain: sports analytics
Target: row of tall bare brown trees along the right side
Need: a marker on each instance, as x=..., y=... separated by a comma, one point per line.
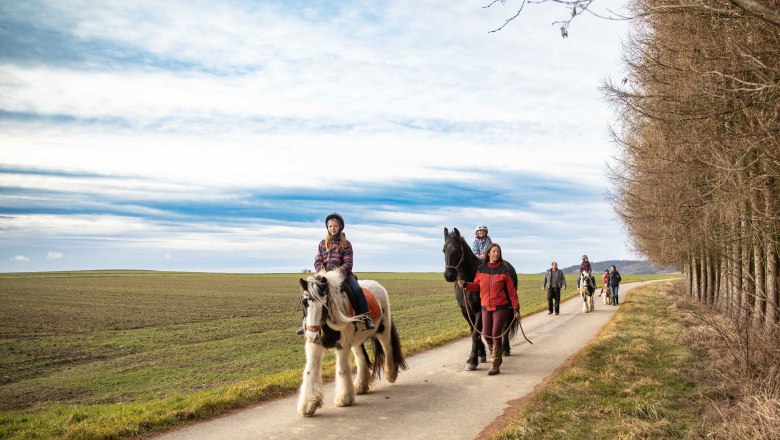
x=698, y=163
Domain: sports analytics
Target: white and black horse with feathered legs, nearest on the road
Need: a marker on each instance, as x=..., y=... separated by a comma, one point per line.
x=328, y=324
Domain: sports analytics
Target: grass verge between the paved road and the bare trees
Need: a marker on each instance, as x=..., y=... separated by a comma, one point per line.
x=631, y=382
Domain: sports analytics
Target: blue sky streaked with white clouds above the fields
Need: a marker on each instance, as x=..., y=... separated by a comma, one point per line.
x=217, y=136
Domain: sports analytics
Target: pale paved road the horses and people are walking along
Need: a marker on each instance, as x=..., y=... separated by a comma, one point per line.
x=434, y=399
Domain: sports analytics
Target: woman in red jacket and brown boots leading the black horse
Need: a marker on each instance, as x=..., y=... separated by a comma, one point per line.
x=498, y=296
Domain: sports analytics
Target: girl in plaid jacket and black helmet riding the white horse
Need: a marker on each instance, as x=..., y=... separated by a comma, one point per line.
x=335, y=252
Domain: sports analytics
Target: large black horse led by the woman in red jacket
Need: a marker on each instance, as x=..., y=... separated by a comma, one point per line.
x=461, y=263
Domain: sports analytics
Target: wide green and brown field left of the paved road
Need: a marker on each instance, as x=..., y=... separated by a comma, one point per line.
x=103, y=354
